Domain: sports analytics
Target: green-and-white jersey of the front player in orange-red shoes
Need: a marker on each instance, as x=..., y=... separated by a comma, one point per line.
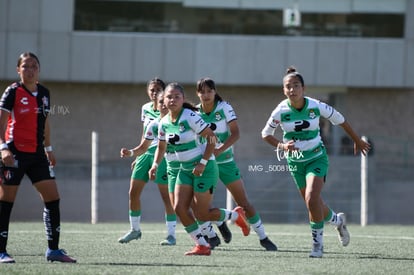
x=182, y=135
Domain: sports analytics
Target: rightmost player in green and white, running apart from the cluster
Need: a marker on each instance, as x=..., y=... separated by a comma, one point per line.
x=307, y=159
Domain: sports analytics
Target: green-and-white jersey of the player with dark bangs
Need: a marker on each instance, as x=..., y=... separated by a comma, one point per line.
x=218, y=120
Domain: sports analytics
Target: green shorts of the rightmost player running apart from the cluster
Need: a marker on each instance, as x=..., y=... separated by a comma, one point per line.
x=301, y=170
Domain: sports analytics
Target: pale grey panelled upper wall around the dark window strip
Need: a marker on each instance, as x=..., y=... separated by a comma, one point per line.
x=231, y=60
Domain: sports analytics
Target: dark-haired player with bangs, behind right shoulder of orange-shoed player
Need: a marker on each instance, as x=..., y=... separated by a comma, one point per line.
x=223, y=121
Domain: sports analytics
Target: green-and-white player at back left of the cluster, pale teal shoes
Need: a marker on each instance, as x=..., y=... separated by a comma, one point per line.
x=144, y=154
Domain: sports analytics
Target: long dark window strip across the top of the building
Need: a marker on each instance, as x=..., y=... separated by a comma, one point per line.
x=167, y=17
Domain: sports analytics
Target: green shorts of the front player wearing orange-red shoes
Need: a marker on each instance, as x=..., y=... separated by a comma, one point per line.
x=204, y=183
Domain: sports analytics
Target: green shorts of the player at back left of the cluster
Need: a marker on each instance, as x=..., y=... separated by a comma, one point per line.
x=143, y=164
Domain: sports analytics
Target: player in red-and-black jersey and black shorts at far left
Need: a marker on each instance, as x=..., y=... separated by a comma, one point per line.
x=26, y=149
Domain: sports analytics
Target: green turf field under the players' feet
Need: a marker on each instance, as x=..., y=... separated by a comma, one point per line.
x=372, y=250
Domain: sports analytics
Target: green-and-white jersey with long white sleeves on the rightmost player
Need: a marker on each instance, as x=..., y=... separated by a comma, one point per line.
x=302, y=126
